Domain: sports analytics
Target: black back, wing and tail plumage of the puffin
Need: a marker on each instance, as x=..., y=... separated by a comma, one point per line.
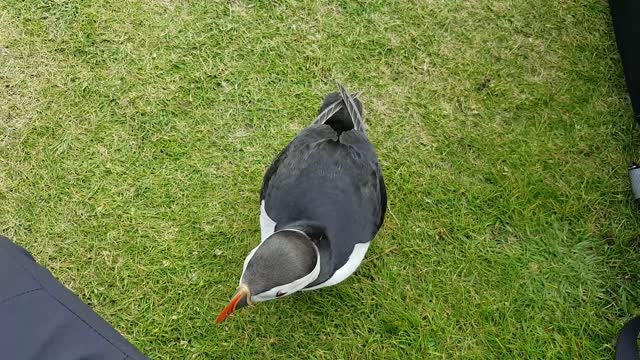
x=327, y=182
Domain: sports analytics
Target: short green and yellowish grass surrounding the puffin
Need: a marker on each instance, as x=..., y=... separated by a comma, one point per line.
x=134, y=136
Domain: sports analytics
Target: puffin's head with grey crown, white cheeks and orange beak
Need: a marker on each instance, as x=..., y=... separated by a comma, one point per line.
x=282, y=264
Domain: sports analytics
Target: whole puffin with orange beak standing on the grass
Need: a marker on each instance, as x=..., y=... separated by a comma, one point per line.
x=322, y=202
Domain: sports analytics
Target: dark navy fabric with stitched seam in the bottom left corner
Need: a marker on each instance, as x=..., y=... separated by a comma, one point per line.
x=41, y=319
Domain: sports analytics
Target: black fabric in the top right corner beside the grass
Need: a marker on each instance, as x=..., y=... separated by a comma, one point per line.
x=626, y=24
